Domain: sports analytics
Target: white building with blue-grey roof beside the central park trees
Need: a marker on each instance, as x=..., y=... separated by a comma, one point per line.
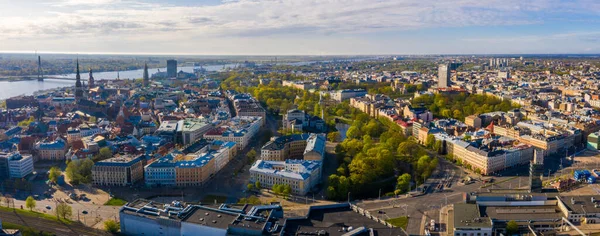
x=300, y=175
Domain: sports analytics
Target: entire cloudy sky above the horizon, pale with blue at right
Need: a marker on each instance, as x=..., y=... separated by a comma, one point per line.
x=316, y=27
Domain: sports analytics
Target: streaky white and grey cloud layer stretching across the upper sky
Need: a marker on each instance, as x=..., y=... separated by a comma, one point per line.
x=131, y=20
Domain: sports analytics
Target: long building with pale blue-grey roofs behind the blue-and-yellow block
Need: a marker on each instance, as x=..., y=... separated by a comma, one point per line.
x=240, y=129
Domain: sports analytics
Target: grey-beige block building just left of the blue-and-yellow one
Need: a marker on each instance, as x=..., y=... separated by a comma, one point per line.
x=119, y=171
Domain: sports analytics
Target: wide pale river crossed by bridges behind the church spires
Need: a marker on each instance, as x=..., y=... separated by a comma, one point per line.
x=28, y=87
